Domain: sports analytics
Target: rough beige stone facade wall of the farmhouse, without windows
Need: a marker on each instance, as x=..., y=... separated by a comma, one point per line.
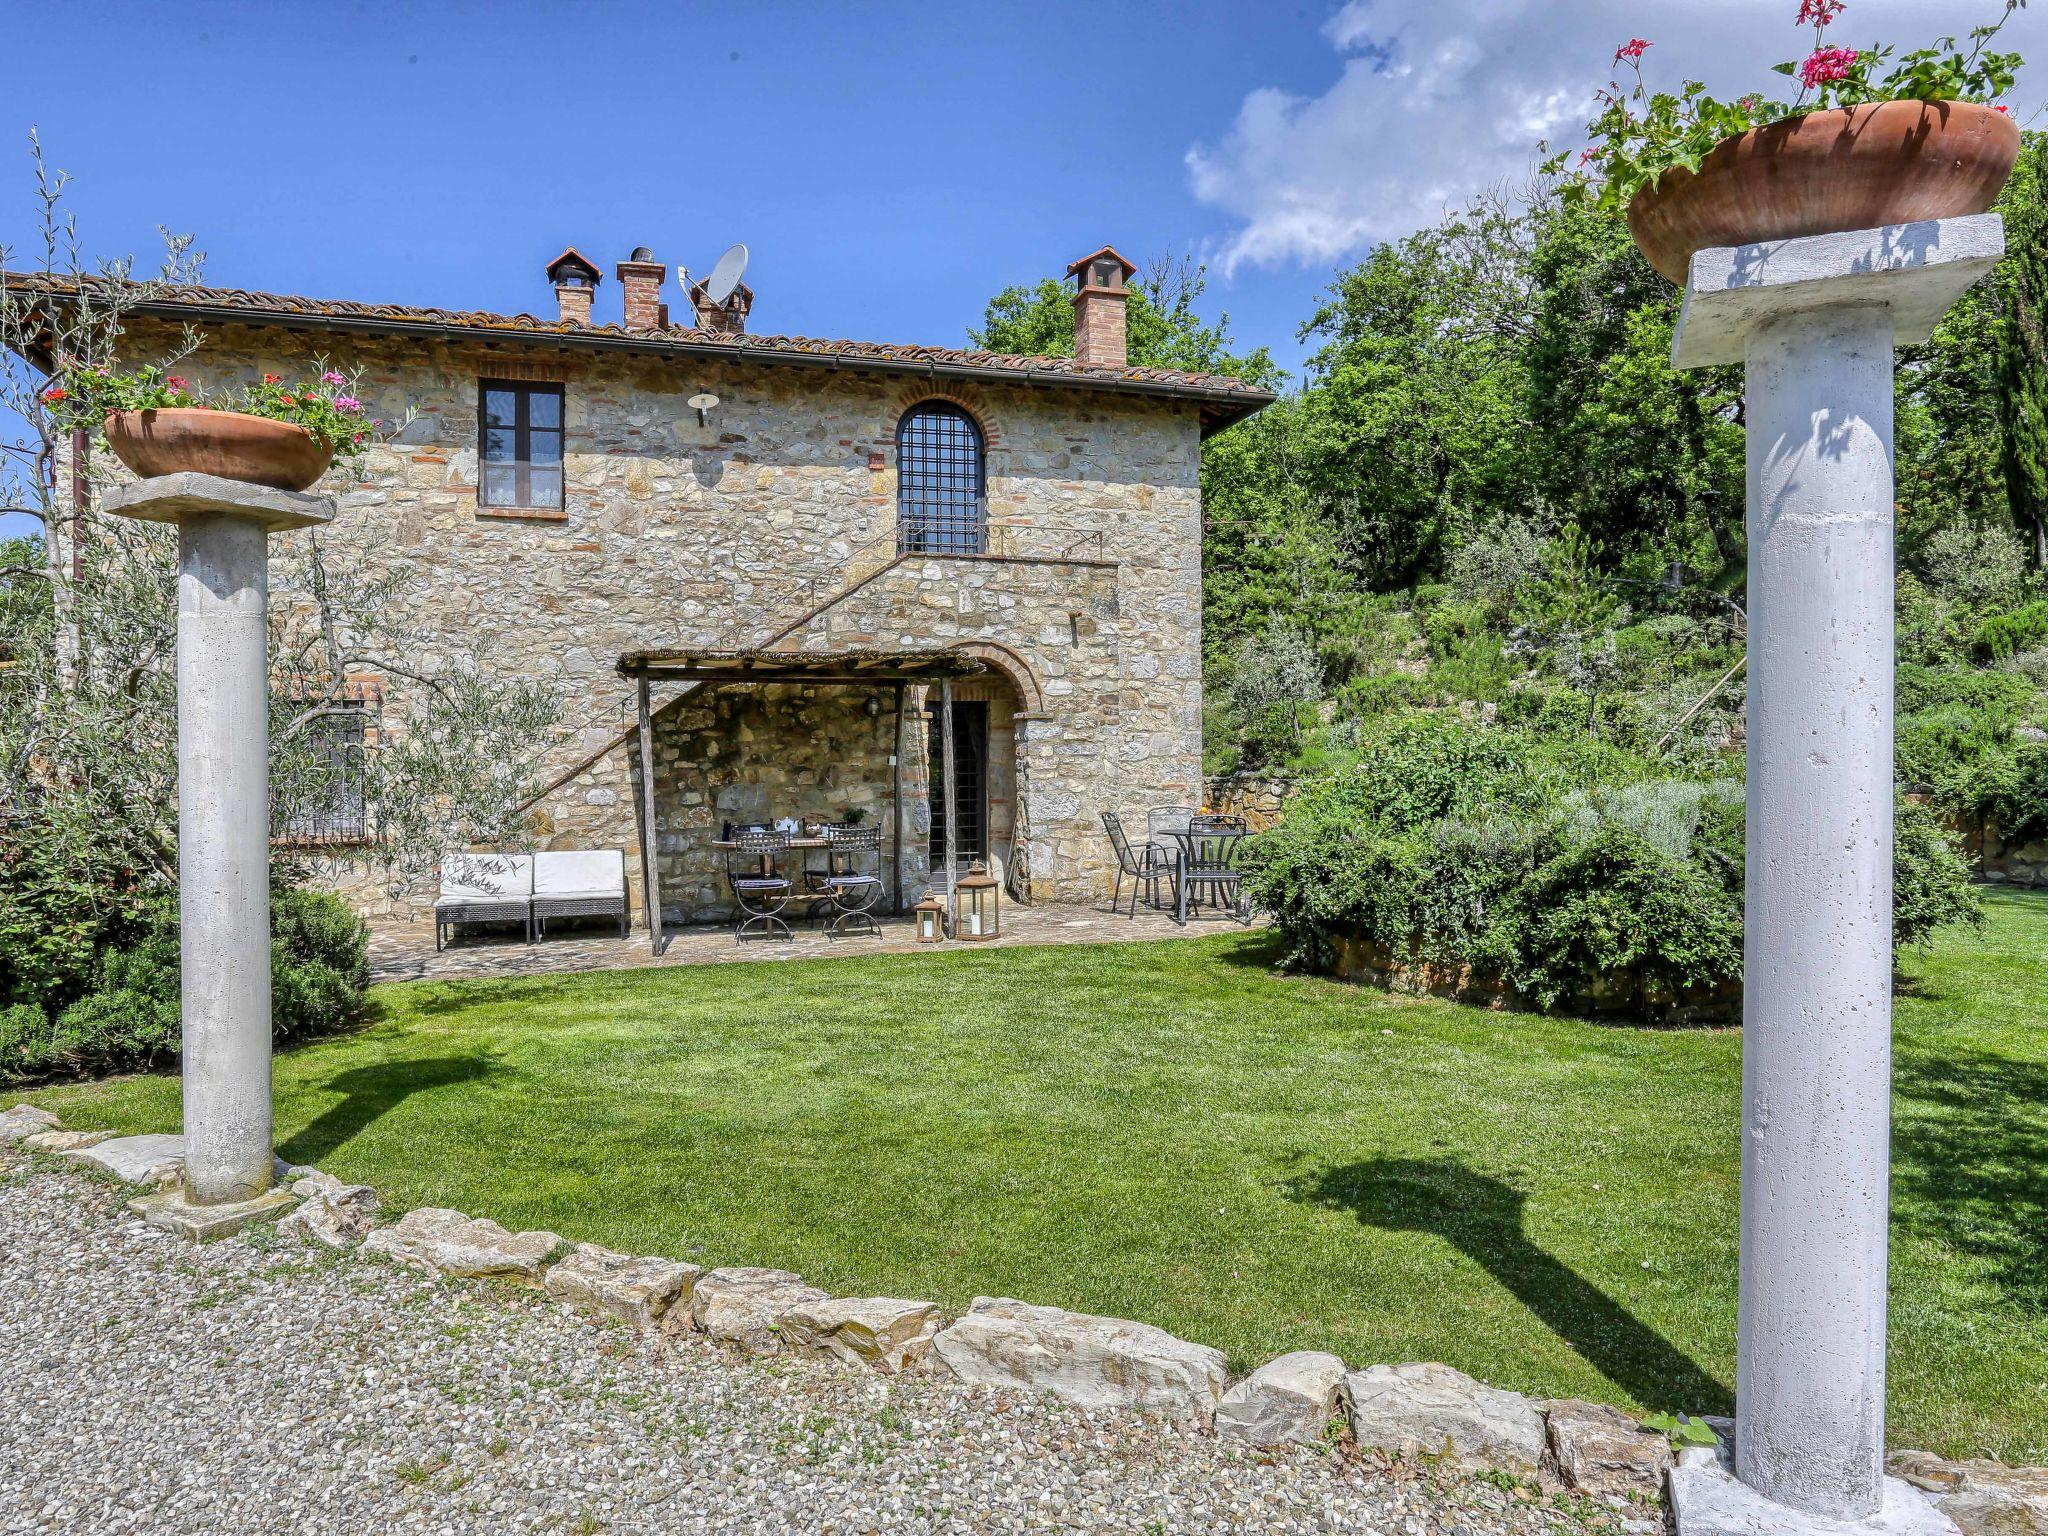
x=724, y=534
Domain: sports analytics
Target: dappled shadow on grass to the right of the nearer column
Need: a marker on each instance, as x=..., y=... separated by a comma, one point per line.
x=1971, y=1166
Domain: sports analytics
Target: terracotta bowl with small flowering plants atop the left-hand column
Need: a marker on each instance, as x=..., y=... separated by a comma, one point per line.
x=269, y=433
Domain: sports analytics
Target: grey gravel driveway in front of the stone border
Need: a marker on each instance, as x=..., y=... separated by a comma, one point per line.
x=259, y=1388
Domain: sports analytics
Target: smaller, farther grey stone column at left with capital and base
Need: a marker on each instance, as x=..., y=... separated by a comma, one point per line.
x=224, y=835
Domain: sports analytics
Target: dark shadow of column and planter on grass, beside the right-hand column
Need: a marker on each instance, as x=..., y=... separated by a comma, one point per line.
x=1482, y=1218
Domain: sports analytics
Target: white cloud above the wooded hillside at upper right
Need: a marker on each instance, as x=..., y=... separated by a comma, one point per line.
x=1441, y=99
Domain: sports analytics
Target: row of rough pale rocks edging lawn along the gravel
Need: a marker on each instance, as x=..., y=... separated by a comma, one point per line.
x=1416, y=1410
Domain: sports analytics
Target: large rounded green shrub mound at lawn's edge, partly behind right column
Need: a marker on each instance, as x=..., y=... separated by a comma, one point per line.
x=1551, y=863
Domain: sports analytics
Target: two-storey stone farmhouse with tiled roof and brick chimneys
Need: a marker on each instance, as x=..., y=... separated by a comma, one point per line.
x=851, y=519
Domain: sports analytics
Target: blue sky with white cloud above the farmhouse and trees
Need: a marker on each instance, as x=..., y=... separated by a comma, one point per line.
x=890, y=165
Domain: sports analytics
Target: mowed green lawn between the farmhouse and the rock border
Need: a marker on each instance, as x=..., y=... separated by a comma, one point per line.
x=1175, y=1134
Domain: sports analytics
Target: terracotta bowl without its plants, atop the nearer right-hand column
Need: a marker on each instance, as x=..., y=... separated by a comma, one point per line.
x=1846, y=169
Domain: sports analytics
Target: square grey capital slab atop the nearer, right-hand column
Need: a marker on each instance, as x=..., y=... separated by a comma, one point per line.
x=1914, y=269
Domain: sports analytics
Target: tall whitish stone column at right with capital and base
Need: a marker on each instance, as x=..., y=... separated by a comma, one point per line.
x=1816, y=325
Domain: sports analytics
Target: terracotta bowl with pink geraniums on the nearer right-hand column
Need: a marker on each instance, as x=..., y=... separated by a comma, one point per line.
x=1875, y=138
